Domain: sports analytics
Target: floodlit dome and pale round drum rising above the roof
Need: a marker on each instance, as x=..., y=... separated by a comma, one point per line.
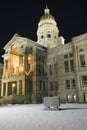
x=47, y=32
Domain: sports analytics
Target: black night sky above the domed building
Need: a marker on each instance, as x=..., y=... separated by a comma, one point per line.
x=22, y=17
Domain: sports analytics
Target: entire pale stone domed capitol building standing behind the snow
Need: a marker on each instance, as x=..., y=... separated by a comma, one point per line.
x=48, y=67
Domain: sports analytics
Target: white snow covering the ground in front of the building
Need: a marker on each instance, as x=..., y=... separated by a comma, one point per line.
x=34, y=117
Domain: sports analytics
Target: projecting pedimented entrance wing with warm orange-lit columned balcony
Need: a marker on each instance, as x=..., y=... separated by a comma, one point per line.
x=24, y=62
